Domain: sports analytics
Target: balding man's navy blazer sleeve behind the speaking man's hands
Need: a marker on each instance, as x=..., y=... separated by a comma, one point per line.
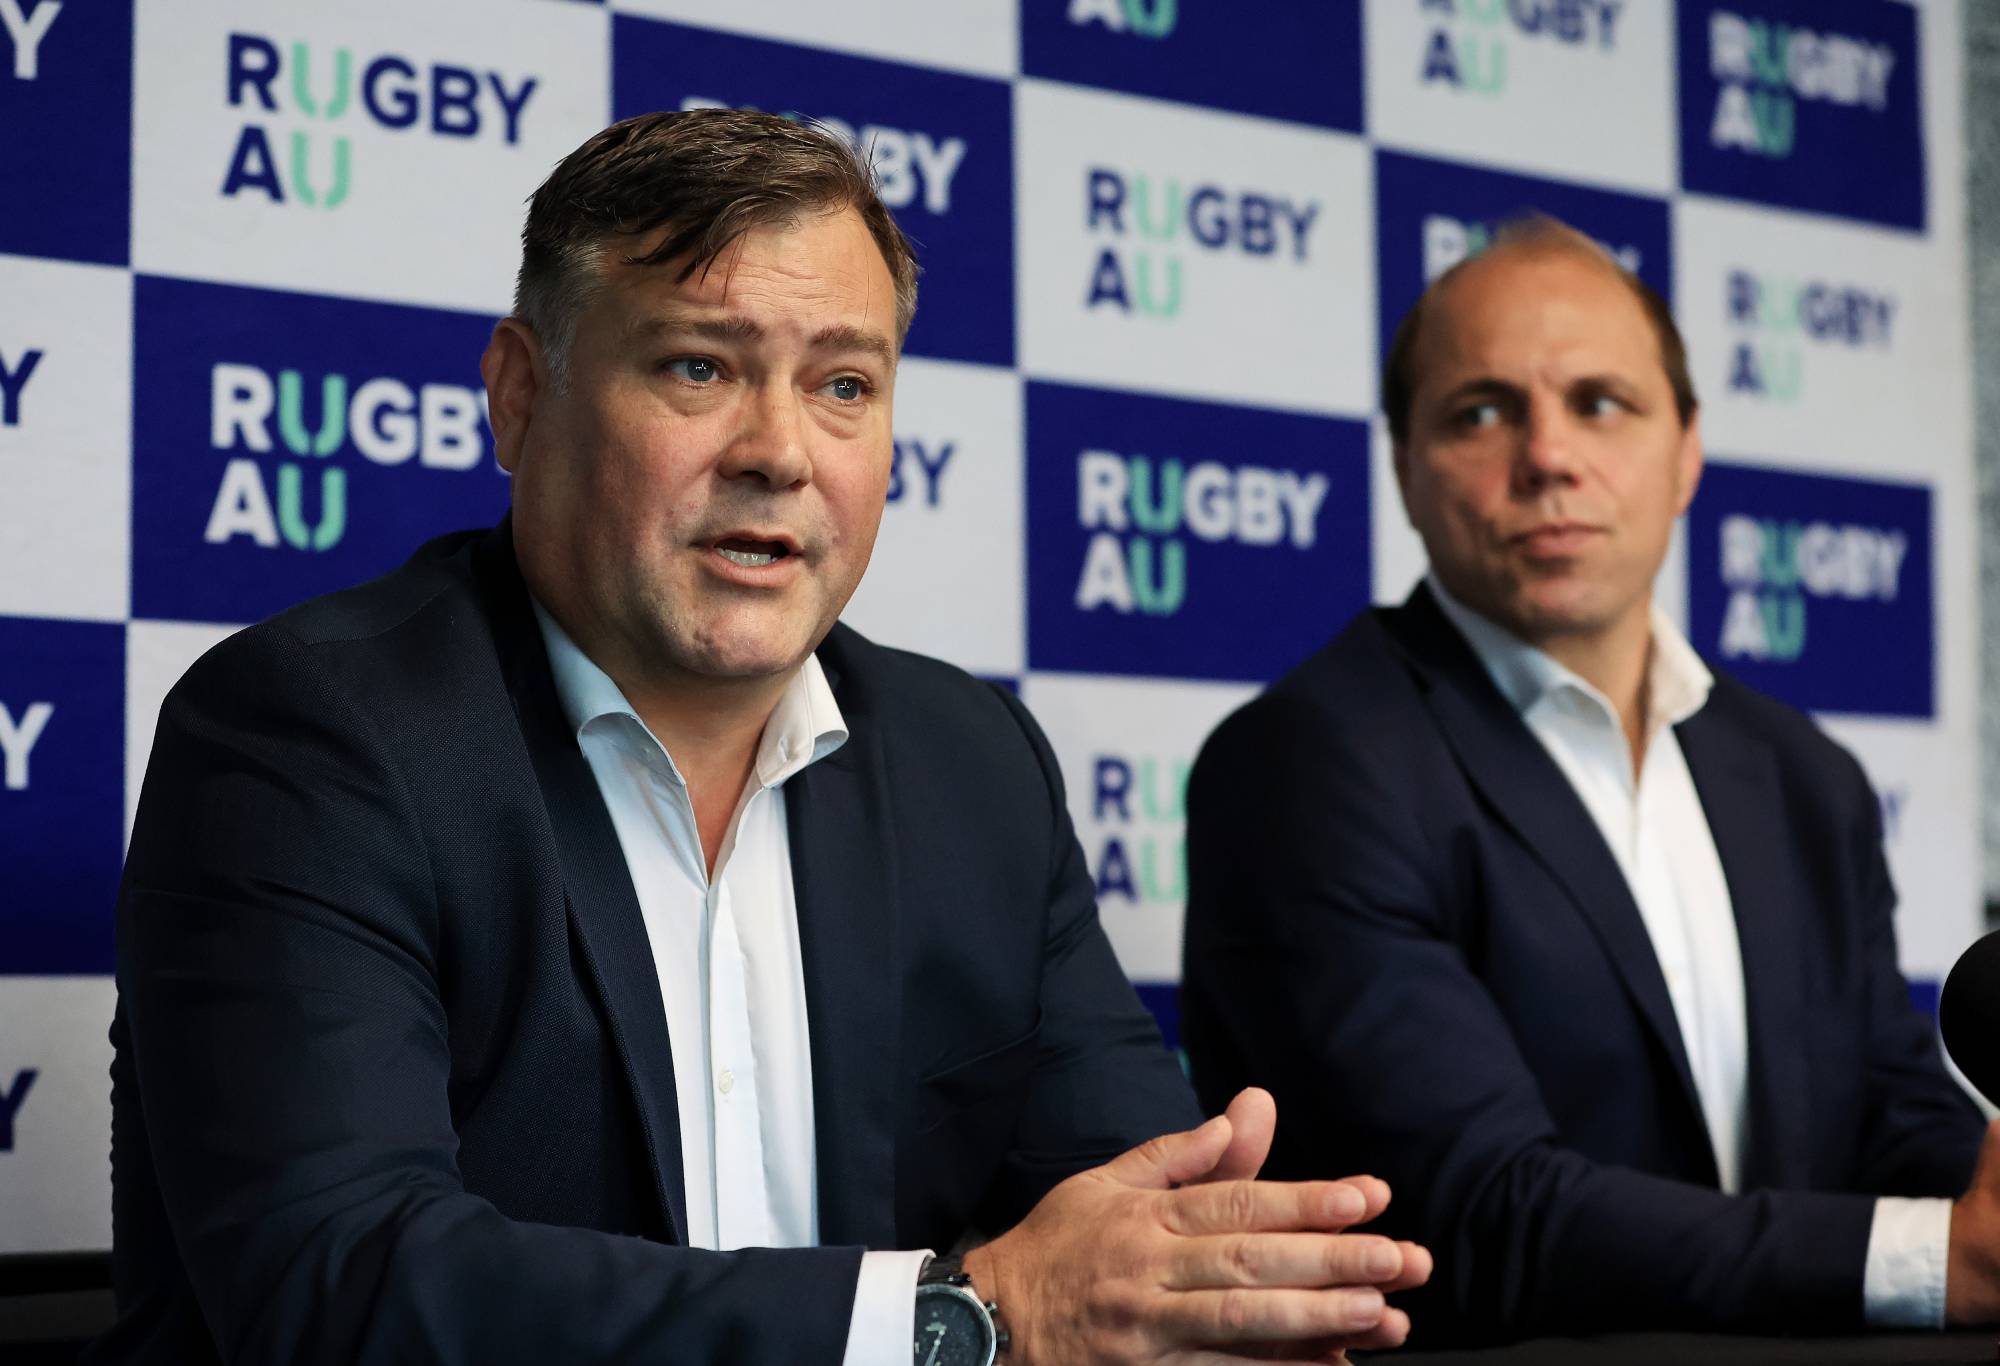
x=1327, y=963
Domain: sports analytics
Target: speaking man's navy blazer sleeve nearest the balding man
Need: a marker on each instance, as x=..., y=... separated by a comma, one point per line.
x=1103, y=1079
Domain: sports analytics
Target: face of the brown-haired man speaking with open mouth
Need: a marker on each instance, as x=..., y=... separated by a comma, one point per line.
x=705, y=497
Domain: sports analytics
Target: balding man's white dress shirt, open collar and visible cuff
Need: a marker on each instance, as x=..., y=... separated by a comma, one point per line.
x=1659, y=833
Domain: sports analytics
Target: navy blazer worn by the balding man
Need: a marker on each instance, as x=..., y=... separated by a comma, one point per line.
x=1405, y=925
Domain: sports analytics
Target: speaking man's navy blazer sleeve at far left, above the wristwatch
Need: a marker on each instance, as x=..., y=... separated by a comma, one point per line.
x=277, y=949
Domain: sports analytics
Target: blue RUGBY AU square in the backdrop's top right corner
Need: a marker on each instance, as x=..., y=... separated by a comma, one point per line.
x=1805, y=105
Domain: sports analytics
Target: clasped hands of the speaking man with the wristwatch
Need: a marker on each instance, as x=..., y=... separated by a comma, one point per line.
x=1173, y=1255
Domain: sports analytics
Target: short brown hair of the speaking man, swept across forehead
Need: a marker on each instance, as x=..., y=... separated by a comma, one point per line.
x=703, y=175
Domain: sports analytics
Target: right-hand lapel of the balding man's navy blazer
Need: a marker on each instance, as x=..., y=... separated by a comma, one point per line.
x=1737, y=777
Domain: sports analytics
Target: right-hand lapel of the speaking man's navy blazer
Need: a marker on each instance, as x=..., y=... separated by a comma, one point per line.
x=845, y=885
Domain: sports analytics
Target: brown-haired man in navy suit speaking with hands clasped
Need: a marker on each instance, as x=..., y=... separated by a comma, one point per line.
x=575, y=947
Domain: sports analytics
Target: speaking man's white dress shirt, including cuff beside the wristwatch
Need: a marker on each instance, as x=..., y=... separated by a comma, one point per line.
x=731, y=979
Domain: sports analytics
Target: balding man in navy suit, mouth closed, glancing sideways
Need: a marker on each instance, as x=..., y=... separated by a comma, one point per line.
x=1583, y=947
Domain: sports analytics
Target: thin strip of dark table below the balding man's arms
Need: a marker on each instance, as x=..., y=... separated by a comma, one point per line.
x=1673, y=1349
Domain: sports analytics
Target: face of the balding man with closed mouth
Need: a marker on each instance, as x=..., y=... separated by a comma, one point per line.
x=1545, y=461
